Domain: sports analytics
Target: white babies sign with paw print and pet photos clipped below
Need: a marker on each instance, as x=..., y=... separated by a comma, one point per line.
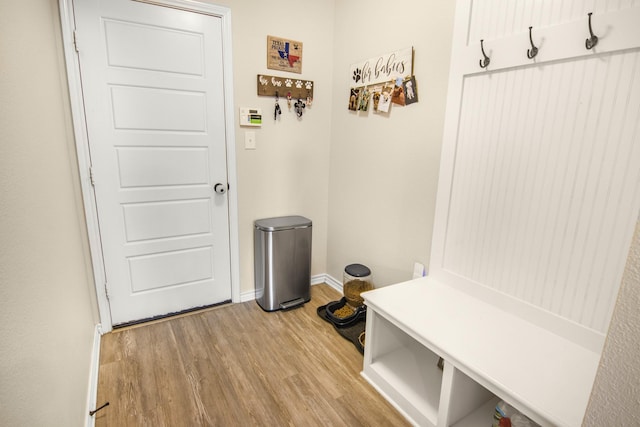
x=385, y=79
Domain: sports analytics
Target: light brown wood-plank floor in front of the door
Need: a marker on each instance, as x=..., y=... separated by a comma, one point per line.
x=238, y=366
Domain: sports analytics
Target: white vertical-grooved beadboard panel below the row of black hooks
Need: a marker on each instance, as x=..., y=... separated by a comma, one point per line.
x=547, y=161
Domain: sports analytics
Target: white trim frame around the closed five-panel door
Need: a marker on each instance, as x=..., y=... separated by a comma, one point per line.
x=69, y=40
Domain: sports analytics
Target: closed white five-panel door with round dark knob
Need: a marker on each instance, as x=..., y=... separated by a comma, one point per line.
x=153, y=87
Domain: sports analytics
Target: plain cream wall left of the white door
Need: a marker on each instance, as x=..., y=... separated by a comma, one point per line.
x=47, y=301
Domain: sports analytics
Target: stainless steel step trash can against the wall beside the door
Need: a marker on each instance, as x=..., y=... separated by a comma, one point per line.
x=282, y=261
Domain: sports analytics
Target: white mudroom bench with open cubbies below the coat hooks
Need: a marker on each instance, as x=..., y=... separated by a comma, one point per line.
x=489, y=353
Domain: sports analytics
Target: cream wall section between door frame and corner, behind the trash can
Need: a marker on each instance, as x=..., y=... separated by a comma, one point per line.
x=288, y=173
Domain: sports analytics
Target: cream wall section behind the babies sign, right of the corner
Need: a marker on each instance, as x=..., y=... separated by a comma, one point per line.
x=384, y=169
